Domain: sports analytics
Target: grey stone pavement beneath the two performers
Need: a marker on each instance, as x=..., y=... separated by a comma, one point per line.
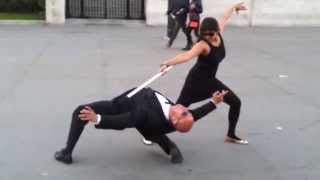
x=46, y=71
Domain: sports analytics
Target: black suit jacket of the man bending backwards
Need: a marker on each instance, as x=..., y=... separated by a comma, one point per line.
x=145, y=113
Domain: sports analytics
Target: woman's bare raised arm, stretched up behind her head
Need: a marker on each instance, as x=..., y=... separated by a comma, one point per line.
x=228, y=12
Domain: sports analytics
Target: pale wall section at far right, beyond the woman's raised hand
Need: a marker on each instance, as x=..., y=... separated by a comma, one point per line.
x=286, y=12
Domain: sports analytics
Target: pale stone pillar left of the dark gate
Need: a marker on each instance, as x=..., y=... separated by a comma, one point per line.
x=55, y=11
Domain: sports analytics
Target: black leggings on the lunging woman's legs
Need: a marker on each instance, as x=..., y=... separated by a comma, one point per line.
x=189, y=96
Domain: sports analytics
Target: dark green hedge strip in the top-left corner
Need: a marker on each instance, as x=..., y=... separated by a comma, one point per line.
x=22, y=6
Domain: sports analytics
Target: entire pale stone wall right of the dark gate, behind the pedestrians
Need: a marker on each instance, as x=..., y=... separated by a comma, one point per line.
x=260, y=13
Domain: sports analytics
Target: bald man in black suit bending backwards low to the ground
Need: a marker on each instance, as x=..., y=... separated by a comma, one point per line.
x=152, y=114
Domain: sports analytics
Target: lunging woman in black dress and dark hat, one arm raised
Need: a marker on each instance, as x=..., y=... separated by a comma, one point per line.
x=201, y=79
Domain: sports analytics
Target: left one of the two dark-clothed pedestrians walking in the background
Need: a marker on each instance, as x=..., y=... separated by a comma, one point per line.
x=177, y=11
